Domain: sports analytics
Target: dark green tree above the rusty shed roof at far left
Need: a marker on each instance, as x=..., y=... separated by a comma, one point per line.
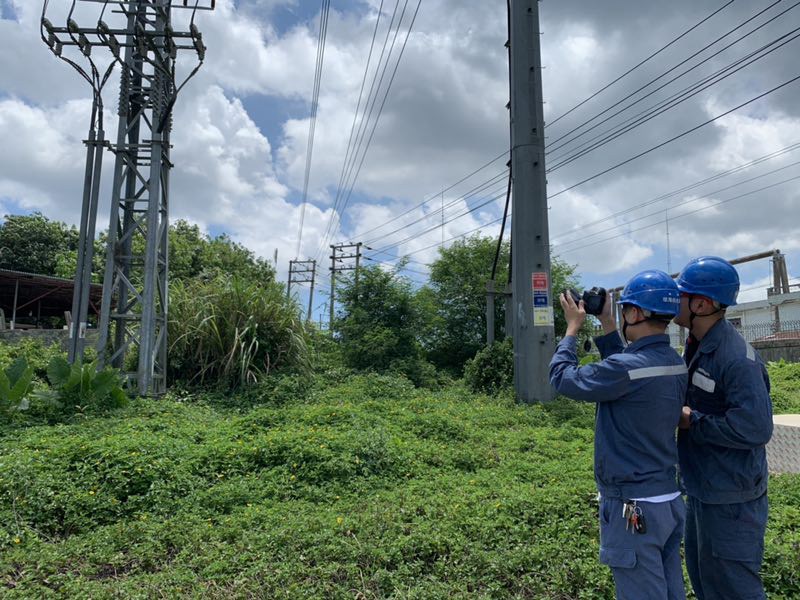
x=35, y=244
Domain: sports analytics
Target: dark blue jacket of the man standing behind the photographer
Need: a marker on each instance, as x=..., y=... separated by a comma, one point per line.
x=723, y=457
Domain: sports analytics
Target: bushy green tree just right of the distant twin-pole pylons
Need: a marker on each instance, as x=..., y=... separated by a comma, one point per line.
x=379, y=323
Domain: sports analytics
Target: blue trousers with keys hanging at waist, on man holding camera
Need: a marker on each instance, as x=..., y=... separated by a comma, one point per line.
x=646, y=566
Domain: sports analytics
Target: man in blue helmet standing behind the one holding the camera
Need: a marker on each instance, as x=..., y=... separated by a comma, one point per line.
x=721, y=442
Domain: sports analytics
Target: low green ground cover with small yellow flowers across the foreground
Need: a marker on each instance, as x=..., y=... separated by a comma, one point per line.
x=369, y=488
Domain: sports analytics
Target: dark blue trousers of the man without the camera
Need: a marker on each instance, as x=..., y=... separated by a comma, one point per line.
x=724, y=548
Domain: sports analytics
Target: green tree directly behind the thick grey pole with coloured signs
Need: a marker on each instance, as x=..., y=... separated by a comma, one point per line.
x=455, y=299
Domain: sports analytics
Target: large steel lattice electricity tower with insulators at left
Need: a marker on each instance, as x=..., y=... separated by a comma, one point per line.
x=133, y=313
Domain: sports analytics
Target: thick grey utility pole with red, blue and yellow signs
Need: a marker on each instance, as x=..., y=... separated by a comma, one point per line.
x=534, y=338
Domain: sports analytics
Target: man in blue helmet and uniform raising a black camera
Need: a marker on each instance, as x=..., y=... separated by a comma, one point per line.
x=639, y=391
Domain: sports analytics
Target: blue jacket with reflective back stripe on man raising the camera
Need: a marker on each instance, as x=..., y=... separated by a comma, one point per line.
x=639, y=391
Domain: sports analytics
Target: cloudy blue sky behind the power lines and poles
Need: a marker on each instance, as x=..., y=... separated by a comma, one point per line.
x=241, y=129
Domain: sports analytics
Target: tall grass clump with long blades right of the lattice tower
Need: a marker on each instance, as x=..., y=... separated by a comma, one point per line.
x=233, y=331
